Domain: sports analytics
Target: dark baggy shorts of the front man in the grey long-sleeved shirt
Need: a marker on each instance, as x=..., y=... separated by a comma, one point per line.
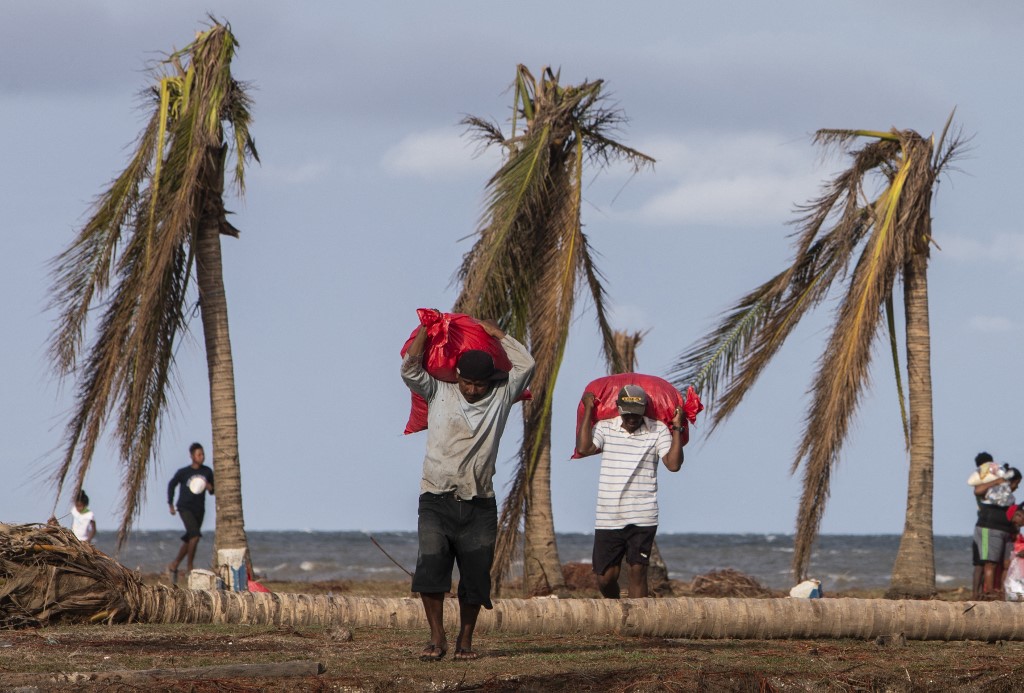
x=454, y=532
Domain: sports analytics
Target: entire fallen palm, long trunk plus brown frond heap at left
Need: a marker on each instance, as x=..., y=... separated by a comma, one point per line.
x=51, y=578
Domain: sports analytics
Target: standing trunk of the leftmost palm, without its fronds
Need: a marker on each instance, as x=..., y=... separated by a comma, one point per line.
x=230, y=533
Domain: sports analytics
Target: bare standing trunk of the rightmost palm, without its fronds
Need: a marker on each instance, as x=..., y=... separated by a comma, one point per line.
x=914, y=573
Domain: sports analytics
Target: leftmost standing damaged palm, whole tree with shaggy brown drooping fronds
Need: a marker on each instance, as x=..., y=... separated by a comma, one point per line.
x=160, y=222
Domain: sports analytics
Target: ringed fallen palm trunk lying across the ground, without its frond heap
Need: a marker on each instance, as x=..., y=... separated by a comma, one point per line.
x=672, y=618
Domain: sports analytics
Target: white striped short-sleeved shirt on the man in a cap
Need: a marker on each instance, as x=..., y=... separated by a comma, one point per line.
x=627, y=492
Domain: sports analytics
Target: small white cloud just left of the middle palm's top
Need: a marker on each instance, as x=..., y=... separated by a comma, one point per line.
x=440, y=153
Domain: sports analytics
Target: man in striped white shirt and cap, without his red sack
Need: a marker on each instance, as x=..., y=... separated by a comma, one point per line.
x=631, y=446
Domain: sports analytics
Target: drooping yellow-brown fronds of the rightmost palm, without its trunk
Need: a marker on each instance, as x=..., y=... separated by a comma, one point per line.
x=884, y=231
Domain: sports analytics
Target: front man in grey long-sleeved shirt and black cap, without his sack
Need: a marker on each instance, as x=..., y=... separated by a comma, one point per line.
x=458, y=513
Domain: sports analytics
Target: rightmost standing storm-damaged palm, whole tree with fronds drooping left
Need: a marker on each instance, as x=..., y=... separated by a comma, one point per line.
x=885, y=234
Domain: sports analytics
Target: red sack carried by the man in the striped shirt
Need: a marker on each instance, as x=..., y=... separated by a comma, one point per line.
x=663, y=400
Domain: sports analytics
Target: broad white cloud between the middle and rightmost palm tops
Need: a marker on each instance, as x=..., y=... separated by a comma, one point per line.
x=732, y=180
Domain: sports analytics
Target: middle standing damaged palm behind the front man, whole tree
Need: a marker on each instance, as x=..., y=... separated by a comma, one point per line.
x=526, y=270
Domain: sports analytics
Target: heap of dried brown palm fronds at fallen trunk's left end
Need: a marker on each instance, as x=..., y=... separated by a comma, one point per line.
x=50, y=577
